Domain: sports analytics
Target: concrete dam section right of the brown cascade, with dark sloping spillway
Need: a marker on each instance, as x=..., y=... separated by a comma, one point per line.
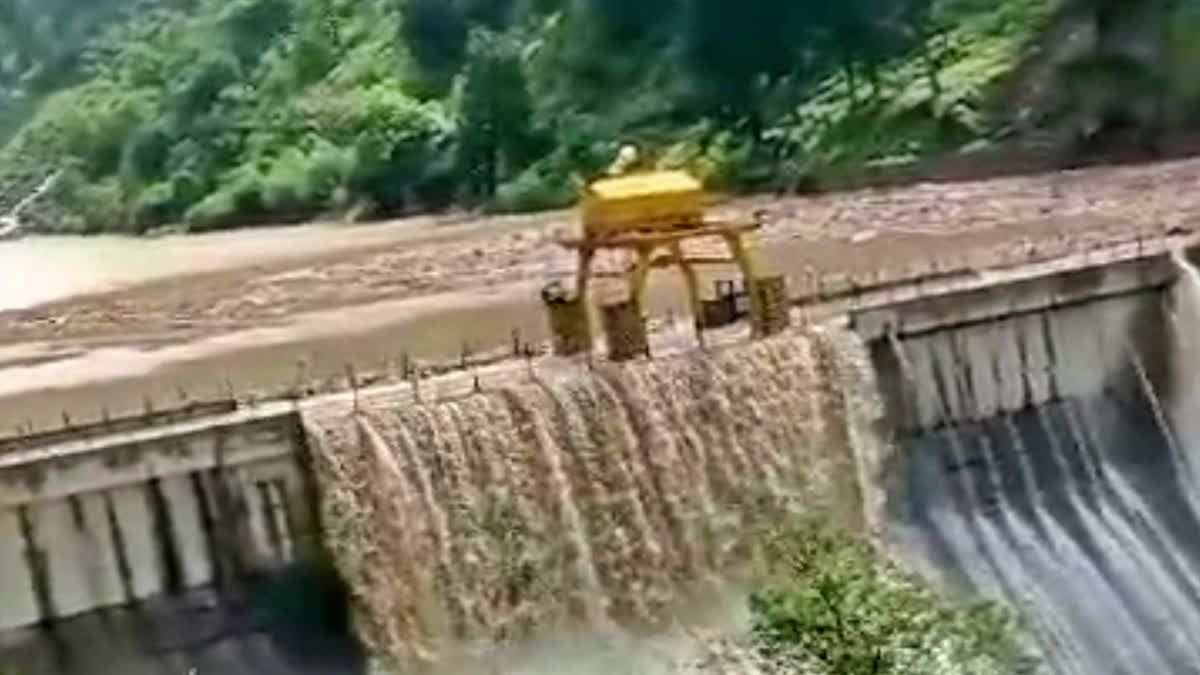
x=1046, y=457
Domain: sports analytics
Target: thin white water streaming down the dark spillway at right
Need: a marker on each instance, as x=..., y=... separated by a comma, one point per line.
x=1081, y=510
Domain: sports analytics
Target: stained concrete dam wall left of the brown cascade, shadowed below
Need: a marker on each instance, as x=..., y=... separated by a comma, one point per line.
x=148, y=551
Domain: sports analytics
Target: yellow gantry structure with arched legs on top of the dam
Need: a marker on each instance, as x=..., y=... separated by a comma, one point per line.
x=649, y=217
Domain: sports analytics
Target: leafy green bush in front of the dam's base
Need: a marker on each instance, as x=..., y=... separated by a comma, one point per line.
x=833, y=606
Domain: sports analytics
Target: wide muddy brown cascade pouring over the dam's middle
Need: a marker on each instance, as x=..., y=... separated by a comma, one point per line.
x=586, y=498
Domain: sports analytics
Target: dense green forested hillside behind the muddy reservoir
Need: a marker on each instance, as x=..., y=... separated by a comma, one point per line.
x=218, y=114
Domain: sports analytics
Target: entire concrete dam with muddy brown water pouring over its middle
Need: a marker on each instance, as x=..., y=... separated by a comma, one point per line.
x=1025, y=434
